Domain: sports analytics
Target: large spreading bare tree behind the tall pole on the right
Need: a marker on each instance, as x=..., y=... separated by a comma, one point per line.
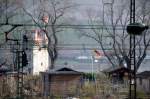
x=112, y=35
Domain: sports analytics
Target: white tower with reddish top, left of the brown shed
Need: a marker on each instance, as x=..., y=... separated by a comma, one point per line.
x=40, y=54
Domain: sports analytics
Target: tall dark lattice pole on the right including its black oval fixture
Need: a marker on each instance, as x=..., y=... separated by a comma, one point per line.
x=133, y=29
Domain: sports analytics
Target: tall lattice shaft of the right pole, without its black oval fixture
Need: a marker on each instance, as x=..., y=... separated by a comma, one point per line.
x=132, y=75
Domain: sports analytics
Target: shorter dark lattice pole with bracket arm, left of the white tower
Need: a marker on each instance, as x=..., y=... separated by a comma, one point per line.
x=21, y=61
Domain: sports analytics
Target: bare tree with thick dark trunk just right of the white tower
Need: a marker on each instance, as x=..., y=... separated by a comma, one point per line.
x=50, y=15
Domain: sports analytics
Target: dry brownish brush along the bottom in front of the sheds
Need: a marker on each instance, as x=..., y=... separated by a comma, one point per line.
x=99, y=89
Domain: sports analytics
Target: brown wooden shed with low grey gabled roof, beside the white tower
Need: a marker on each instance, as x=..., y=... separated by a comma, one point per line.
x=61, y=81
